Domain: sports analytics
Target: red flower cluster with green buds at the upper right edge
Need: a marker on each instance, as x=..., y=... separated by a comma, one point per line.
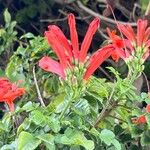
x=132, y=45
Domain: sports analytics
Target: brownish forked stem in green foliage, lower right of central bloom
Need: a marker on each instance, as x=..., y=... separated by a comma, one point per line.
x=105, y=112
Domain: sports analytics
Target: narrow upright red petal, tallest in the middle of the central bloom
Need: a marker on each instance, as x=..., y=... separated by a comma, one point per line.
x=73, y=35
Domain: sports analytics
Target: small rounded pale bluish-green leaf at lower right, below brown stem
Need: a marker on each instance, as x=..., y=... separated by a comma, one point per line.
x=107, y=136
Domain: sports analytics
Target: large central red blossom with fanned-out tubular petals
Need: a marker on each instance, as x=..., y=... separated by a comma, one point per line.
x=69, y=52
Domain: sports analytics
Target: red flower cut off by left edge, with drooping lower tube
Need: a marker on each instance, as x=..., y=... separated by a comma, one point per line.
x=9, y=92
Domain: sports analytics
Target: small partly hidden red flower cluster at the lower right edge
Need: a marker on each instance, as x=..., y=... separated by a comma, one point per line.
x=141, y=119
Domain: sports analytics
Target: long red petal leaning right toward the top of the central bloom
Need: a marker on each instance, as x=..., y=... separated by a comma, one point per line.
x=94, y=25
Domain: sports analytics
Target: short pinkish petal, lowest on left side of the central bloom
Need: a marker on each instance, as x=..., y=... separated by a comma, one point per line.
x=51, y=65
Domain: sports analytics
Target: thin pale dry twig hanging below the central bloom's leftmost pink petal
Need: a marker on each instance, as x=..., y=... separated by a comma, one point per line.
x=37, y=88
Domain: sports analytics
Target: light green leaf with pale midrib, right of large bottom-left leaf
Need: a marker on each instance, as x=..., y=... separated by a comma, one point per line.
x=48, y=140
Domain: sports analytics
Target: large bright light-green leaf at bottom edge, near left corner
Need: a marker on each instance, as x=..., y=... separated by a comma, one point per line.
x=27, y=141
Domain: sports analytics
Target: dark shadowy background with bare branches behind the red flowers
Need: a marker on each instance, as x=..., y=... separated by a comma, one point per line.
x=35, y=15
